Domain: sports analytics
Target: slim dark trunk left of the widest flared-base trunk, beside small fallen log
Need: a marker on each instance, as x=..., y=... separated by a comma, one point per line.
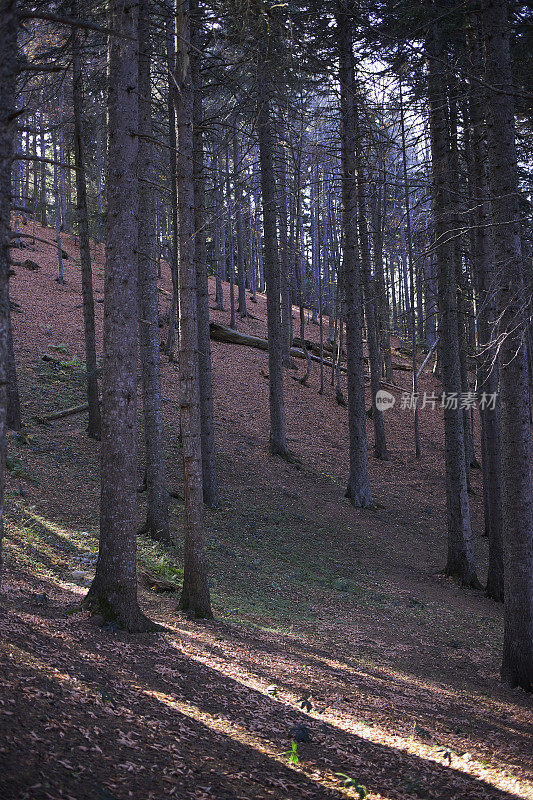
x=94, y=426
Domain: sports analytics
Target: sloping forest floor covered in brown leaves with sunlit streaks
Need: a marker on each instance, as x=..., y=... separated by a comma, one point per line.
x=326, y=616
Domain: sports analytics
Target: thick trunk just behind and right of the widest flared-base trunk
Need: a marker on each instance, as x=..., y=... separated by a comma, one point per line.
x=157, y=526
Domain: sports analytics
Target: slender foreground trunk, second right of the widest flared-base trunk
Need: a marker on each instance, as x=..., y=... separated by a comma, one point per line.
x=194, y=599
